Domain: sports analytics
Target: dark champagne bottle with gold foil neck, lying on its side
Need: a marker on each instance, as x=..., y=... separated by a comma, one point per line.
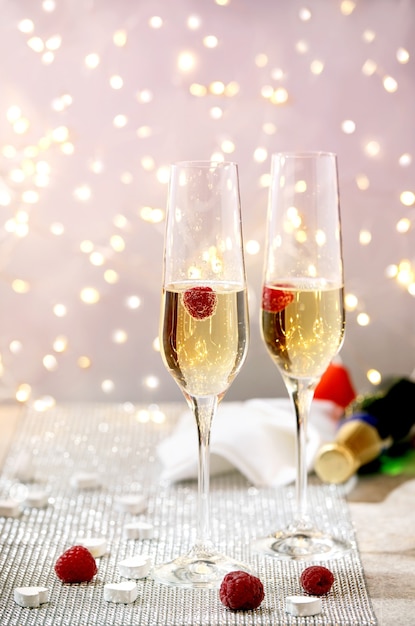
x=371, y=424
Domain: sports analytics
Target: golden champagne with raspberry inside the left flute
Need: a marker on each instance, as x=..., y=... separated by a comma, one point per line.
x=204, y=338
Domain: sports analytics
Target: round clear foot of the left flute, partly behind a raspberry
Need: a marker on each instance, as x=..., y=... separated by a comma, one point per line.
x=197, y=570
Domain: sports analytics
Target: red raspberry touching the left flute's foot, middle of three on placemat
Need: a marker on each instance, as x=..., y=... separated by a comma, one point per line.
x=241, y=591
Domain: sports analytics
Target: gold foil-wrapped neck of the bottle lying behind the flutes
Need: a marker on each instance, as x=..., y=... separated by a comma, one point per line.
x=356, y=444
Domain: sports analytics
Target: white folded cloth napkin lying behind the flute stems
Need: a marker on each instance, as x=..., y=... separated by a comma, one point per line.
x=256, y=437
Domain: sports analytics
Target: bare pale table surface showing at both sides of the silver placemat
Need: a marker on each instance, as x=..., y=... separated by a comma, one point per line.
x=381, y=508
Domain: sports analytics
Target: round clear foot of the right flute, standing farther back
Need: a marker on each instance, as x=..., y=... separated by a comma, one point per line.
x=301, y=545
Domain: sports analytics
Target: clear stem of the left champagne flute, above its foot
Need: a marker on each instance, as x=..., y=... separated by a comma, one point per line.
x=204, y=409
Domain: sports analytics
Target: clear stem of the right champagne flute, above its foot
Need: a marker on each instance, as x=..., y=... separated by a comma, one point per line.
x=301, y=393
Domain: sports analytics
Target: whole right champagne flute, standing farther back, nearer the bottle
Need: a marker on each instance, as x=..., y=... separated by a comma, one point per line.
x=302, y=315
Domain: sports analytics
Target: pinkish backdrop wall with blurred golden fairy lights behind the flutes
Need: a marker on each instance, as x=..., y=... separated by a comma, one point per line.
x=99, y=96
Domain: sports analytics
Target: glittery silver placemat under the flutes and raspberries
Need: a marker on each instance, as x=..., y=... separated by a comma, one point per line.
x=117, y=443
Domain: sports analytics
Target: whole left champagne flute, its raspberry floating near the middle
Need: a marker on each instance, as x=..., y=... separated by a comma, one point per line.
x=204, y=327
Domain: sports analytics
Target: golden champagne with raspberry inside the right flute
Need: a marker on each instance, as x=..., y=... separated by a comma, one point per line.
x=303, y=326
